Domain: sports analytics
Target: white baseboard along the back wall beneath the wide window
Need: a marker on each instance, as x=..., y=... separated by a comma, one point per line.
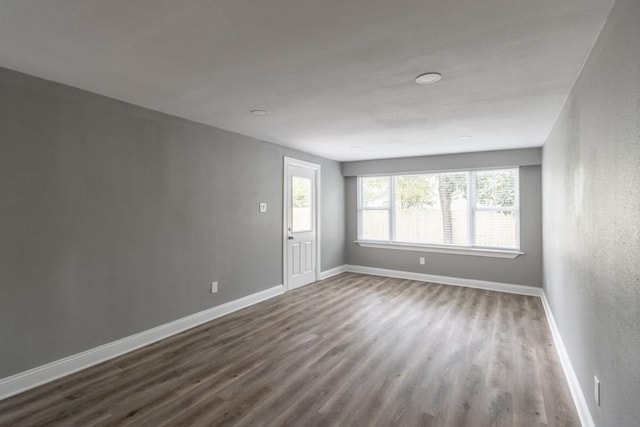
x=446, y=280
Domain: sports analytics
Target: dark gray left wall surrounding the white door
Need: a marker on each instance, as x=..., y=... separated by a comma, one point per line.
x=115, y=219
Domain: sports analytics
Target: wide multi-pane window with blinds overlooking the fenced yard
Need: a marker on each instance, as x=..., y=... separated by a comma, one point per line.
x=471, y=209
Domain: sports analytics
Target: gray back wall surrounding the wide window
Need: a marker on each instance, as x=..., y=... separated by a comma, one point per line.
x=524, y=270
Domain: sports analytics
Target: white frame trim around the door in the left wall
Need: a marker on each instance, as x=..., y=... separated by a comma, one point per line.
x=285, y=215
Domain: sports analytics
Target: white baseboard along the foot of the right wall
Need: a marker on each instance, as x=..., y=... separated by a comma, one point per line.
x=572, y=379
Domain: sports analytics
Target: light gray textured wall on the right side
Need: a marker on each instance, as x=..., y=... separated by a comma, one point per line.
x=591, y=186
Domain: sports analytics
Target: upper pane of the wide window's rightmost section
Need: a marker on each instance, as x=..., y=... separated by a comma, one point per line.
x=496, y=188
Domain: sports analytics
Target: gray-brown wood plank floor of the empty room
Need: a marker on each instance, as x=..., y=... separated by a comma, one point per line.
x=353, y=350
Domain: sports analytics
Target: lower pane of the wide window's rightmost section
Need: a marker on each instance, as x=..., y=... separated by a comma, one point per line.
x=496, y=229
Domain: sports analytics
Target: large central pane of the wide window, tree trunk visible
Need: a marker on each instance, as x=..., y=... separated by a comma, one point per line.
x=431, y=209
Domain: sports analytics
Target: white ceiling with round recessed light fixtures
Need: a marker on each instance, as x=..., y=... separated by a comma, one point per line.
x=333, y=74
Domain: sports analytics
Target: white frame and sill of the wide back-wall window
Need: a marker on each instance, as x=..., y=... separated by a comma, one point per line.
x=471, y=249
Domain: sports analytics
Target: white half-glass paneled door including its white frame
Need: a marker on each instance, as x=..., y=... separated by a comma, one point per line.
x=301, y=222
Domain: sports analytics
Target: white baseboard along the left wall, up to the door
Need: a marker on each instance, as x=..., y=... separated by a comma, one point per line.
x=26, y=380
